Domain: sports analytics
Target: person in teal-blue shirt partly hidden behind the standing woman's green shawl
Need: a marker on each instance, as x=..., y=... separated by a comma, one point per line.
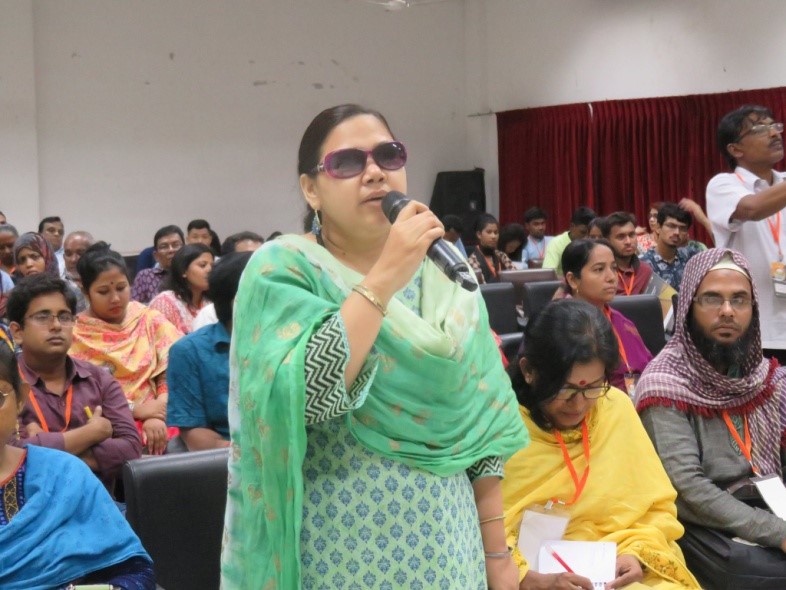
x=198, y=371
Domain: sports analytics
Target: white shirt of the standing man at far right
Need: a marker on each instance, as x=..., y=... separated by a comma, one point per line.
x=754, y=240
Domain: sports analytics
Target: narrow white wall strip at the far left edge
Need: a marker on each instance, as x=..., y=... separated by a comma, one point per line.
x=18, y=142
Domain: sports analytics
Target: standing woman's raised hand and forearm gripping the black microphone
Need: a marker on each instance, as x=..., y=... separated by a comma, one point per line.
x=414, y=230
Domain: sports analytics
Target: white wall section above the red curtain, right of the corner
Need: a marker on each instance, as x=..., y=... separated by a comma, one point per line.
x=546, y=52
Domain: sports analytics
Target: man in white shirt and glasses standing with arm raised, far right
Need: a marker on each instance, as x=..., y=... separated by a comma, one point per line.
x=746, y=211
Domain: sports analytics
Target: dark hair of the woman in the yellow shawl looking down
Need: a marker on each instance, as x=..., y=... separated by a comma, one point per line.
x=584, y=335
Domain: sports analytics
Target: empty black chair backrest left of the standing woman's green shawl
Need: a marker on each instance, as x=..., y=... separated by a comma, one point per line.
x=175, y=504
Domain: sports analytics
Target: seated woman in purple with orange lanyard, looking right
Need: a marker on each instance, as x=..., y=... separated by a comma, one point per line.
x=591, y=276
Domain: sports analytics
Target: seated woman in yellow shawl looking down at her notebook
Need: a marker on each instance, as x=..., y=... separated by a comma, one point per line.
x=576, y=421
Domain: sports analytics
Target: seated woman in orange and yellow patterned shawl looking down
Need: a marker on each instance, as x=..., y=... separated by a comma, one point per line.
x=127, y=338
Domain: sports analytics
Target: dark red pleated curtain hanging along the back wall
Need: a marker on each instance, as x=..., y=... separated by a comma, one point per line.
x=615, y=155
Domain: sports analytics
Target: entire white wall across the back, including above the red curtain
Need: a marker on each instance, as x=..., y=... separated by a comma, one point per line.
x=122, y=116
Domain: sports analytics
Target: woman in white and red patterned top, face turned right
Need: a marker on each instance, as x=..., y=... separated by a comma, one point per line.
x=185, y=287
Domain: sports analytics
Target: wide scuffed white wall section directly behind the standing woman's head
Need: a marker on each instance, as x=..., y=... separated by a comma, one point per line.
x=157, y=111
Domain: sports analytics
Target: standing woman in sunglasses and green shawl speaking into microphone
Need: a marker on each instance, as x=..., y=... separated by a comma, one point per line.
x=369, y=411
